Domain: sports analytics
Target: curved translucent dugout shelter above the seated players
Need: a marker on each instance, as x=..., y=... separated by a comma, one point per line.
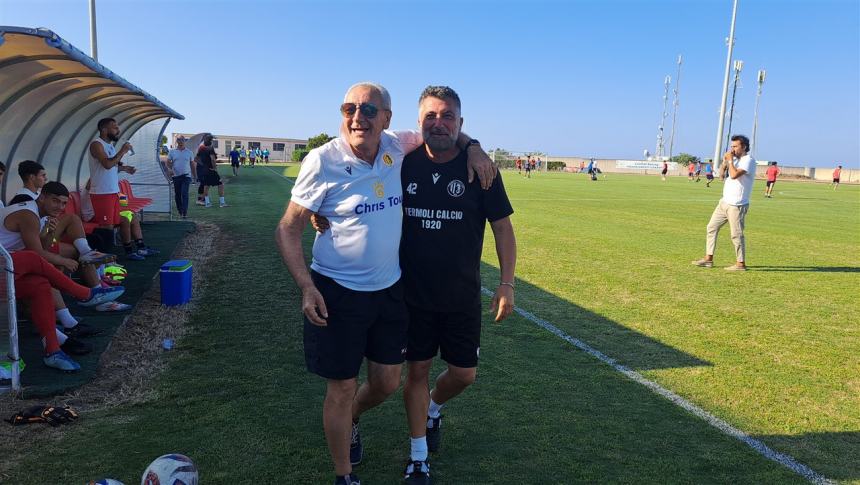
x=51, y=98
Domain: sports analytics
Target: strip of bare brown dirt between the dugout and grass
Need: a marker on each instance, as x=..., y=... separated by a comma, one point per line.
x=135, y=356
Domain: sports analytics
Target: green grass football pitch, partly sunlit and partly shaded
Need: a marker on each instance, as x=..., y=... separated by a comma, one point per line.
x=774, y=352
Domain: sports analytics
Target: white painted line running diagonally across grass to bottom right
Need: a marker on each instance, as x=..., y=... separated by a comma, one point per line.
x=761, y=448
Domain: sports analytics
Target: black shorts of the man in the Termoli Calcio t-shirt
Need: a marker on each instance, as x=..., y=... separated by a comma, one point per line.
x=456, y=334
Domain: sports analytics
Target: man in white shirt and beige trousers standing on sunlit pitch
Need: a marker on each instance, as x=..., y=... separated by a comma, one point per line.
x=734, y=204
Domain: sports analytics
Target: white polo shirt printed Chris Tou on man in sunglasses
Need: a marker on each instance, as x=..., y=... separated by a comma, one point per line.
x=363, y=205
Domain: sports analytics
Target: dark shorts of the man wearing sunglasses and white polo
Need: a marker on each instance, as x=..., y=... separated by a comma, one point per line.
x=361, y=324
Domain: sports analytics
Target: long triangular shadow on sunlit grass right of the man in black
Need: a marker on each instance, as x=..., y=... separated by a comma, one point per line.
x=628, y=347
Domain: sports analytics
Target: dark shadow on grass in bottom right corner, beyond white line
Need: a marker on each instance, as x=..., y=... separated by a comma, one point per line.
x=837, y=451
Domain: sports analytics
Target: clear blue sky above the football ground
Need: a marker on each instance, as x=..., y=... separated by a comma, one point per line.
x=564, y=77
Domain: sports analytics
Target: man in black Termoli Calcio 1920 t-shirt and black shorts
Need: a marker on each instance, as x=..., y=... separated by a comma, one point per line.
x=443, y=235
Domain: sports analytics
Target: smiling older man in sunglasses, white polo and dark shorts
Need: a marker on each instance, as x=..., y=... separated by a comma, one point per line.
x=352, y=299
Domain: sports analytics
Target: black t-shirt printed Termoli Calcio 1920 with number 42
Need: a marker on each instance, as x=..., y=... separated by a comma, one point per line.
x=444, y=218
